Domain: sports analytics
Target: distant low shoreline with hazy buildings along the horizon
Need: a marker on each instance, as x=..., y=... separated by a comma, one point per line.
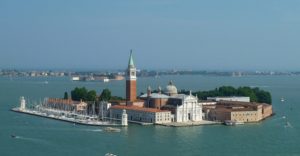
x=112, y=74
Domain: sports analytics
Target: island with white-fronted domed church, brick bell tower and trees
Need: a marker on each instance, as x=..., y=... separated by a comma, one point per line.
x=166, y=106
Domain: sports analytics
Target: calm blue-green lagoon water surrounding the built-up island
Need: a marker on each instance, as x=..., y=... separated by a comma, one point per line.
x=45, y=137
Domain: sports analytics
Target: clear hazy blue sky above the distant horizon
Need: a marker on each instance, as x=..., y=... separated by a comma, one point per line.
x=163, y=34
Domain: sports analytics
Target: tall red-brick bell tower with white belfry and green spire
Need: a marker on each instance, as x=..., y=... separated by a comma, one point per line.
x=131, y=81
